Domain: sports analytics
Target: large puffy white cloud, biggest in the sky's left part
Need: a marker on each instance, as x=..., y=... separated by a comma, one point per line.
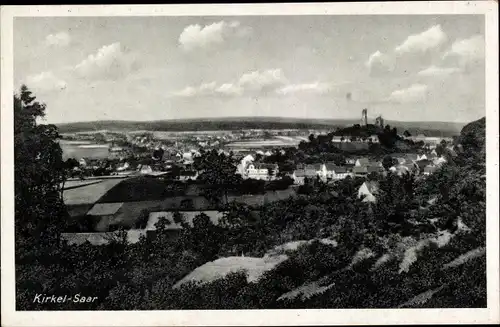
x=110, y=62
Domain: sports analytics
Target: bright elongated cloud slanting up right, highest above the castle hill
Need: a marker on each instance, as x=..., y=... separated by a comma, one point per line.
x=431, y=38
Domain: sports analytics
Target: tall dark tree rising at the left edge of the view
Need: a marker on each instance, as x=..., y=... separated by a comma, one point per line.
x=39, y=173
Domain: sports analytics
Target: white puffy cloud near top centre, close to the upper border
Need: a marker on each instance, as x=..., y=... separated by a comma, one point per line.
x=197, y=36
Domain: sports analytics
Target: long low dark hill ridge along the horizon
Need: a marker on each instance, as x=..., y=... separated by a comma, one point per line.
x=238, y=123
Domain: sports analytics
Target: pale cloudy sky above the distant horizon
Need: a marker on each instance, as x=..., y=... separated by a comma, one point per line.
x=407, y=68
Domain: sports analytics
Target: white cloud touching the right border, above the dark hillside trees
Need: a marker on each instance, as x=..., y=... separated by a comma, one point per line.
x=467, y=51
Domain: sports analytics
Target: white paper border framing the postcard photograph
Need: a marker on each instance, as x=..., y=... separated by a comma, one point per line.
x=251, y=317
